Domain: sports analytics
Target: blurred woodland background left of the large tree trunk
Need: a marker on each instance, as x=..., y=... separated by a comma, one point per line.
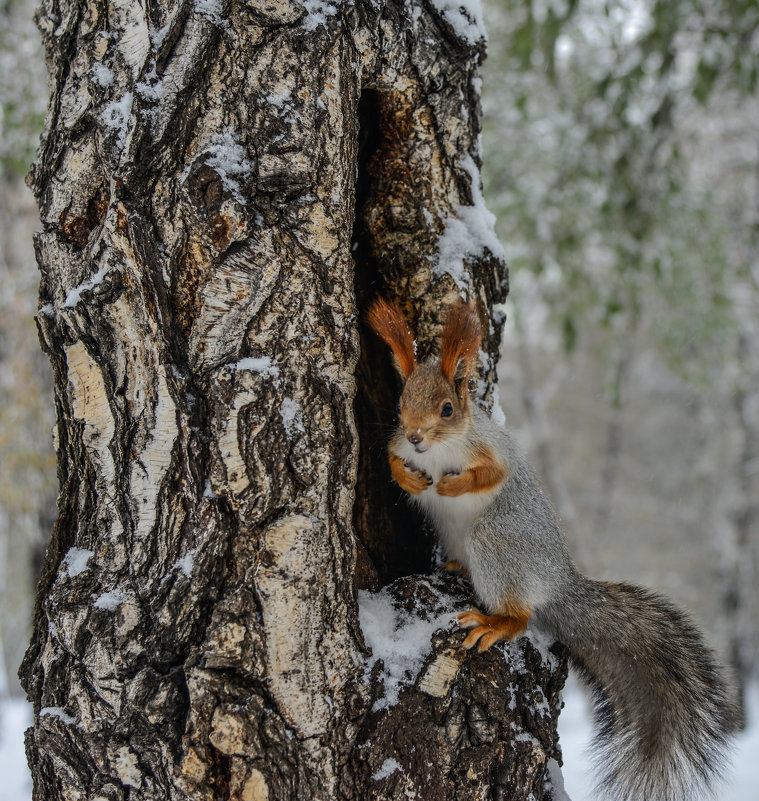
x=27, y=463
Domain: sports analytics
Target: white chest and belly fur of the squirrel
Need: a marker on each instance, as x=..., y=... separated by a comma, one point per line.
x=452, y=517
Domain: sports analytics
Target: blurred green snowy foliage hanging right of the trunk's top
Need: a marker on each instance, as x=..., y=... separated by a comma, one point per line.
x=591, y=113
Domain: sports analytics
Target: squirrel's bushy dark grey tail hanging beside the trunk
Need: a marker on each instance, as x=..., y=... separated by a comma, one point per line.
x=664, y=711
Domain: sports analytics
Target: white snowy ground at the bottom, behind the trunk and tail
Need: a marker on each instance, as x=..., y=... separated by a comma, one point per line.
x=574, y=729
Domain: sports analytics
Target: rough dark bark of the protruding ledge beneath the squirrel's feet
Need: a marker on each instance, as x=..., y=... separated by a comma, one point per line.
x=471, y=726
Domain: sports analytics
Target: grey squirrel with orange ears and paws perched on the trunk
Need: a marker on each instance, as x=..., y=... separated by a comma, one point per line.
x=663, y=709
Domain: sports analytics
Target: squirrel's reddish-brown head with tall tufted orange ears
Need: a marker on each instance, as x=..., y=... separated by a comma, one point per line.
x=434, y=404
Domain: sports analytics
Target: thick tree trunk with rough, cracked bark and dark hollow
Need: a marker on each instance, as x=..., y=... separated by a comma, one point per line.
x=223, y=189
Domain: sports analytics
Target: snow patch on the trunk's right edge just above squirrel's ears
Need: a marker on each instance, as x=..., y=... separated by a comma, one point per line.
x=468, y=233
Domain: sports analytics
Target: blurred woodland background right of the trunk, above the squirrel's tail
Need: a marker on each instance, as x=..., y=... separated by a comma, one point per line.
x=622, y=162
